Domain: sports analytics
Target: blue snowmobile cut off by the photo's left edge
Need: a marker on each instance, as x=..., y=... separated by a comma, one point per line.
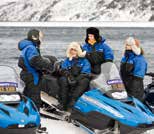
x=18, y=114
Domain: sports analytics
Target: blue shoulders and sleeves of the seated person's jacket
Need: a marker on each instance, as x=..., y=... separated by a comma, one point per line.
x=83, y=63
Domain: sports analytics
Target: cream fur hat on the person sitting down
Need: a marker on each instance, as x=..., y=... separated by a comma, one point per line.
x=77, y=47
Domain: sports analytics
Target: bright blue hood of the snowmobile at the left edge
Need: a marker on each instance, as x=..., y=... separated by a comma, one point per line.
x=16, y=115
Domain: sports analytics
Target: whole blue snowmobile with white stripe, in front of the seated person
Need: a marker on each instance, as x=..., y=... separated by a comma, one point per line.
x=104, y=108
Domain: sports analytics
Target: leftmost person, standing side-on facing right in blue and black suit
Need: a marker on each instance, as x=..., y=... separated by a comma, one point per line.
x=33, y=64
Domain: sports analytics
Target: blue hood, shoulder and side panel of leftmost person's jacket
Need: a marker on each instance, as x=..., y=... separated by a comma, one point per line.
x=28, y=51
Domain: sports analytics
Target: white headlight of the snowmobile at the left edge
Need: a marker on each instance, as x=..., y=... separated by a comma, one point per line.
x=6, y=98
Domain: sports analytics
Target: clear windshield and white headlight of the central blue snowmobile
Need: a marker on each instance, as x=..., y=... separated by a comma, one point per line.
x=109, y=82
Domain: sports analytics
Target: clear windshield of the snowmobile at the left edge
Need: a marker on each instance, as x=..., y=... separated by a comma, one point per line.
x=9, y=80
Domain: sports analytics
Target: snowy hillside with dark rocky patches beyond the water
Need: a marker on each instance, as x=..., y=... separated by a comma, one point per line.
x=75, y=10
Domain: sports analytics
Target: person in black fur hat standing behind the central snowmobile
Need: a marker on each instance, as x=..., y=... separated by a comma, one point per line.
x=97, y=51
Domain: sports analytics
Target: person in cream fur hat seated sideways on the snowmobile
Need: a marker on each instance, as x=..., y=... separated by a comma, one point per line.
x=75, y=71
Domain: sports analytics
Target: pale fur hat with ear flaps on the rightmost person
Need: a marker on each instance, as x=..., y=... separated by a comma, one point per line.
x=134, y=43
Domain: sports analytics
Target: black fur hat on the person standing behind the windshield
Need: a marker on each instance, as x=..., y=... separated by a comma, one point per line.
x=94, y=31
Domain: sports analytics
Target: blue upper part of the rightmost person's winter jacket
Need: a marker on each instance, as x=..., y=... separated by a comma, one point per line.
x=139, y=63
